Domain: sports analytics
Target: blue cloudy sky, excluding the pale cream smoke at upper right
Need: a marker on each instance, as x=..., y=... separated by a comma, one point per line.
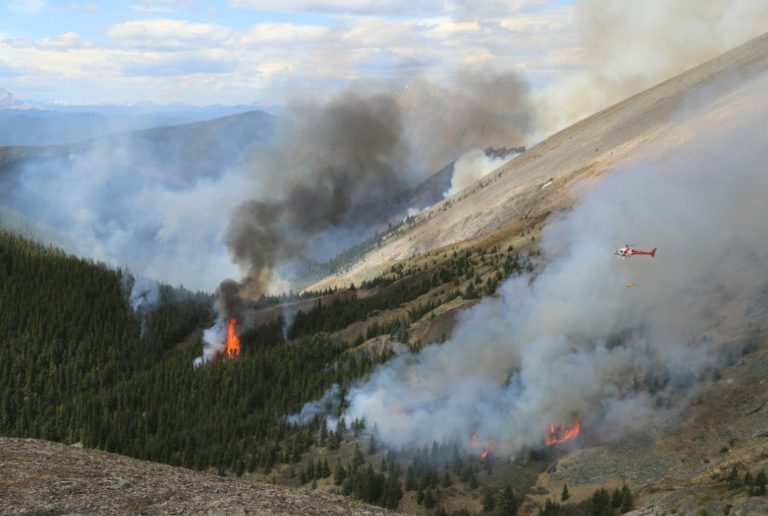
x=242, y=51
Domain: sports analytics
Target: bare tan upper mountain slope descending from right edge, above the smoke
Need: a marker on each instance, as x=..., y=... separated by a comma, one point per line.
x=640, y=125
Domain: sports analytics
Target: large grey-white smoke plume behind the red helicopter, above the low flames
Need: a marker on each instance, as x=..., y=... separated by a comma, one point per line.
x=574, y=341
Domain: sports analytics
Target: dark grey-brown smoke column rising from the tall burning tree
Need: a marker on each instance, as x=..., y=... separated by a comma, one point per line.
x=350, y=151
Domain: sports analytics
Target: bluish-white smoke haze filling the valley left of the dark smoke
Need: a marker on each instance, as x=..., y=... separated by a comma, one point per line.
x=149, y=201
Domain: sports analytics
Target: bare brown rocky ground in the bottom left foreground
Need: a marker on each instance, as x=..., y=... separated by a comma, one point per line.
x=40, y=477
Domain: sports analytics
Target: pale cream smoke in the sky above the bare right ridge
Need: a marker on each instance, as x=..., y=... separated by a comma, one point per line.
x=628, y=47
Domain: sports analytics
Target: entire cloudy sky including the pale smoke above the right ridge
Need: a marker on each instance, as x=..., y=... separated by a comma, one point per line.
x=577, y=55
